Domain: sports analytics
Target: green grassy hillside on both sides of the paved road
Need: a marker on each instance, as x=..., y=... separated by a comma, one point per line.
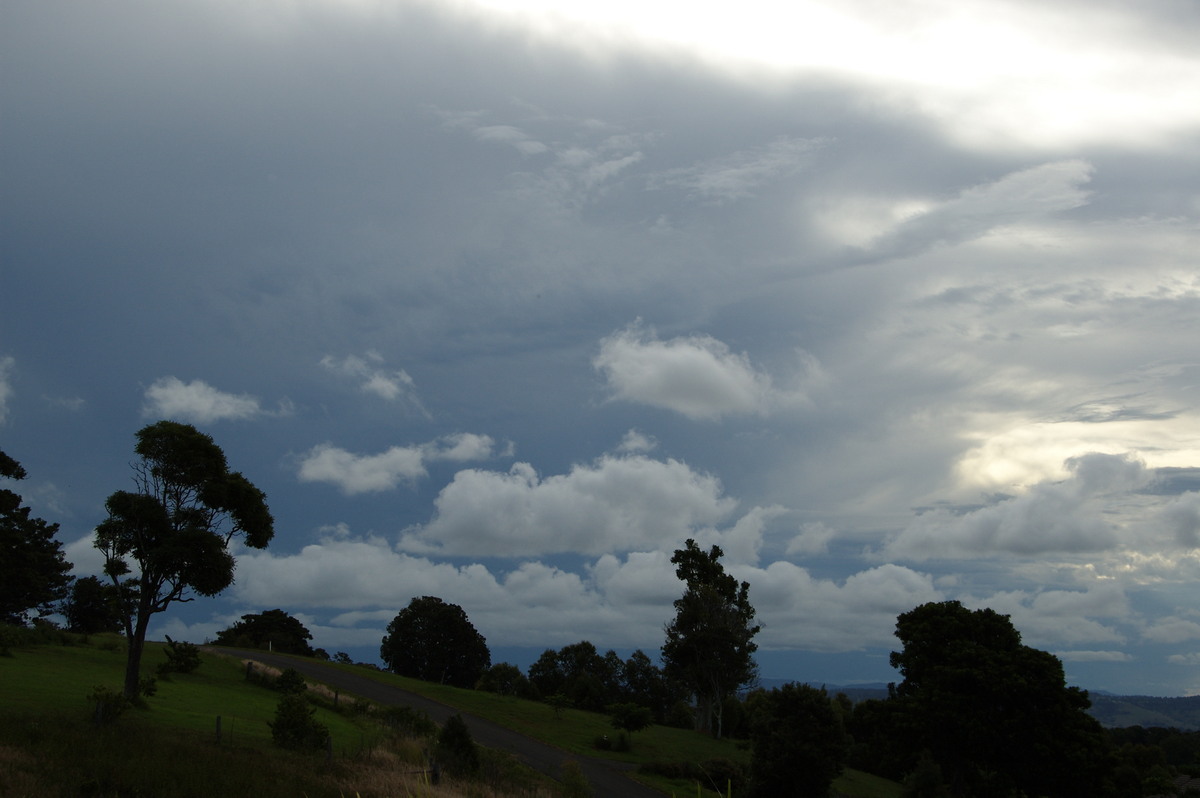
x=50, y=745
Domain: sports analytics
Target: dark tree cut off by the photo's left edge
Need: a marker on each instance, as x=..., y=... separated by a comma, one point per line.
x=35, y=573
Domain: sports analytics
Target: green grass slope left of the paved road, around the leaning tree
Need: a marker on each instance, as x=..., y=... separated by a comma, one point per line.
x=51, y=747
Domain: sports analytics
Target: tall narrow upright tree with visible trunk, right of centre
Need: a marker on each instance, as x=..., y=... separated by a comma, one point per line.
x=710, y=646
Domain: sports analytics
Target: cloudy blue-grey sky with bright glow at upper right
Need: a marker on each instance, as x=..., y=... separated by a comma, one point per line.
x=502, y=302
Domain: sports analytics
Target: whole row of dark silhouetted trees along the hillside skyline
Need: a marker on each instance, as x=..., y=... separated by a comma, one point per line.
x=977, y=713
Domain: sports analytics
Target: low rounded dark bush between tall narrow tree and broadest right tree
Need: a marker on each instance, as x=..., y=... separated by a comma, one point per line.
x=799, y=742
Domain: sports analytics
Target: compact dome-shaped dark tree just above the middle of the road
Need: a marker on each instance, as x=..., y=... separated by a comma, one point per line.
x=435, y=641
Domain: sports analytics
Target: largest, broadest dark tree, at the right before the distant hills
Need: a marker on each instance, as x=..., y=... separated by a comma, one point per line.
x=995, y=716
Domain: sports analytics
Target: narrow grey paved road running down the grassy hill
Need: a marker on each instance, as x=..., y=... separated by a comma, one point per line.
x=607, y=778
